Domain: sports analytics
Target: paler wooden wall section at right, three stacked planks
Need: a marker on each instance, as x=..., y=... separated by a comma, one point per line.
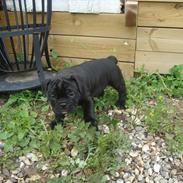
x=159, y=35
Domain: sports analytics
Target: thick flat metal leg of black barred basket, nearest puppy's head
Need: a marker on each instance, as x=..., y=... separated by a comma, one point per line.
x=38, y=60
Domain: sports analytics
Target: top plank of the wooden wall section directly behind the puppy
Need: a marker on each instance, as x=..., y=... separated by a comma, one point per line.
x=103, y=25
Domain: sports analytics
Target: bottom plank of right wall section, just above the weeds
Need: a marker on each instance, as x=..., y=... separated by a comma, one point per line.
x=157, y=61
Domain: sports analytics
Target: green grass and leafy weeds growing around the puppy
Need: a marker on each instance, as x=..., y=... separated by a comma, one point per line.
x=24, y=128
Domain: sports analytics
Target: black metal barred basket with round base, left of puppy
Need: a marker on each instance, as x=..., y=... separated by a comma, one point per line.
x=23, y=42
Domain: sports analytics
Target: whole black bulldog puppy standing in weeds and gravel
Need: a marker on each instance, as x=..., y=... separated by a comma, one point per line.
x=78, y=85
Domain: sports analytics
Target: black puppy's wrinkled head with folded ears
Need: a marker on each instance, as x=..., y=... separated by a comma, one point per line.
x=63, y=94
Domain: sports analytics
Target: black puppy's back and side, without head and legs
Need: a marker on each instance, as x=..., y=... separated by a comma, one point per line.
x=96, y=74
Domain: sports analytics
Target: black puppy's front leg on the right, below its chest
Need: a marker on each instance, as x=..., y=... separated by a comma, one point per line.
x=89, y=114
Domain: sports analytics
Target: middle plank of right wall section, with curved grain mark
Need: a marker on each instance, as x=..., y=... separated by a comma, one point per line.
x=160, y=39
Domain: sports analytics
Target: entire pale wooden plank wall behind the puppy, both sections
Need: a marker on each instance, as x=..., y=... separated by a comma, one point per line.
x=156, y=42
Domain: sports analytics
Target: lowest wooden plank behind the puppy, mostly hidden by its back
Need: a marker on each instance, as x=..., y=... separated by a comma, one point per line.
x=127, y=68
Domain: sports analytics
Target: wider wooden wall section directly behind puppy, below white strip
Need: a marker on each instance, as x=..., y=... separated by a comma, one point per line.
x=80, y=37
